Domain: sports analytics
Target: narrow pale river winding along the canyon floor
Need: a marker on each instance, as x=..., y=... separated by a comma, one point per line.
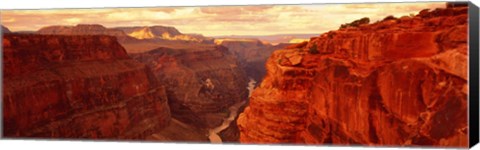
x=213, y=133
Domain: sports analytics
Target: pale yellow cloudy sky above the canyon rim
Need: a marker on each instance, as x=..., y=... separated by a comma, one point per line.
x=218, y=20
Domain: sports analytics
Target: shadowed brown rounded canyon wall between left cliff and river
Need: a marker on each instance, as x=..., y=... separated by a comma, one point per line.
x=201, y=83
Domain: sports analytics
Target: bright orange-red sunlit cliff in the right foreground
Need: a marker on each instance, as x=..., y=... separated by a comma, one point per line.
x=394, y=82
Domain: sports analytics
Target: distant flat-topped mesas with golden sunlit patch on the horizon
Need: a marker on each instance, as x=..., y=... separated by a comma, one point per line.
x=134, y=39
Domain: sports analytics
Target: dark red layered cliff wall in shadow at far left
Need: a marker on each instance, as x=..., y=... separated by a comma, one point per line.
x=78, y=87
